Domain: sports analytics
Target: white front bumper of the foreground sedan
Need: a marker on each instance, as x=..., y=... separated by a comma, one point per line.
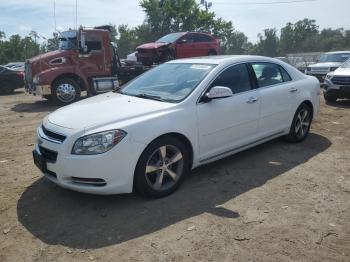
x=108, y=173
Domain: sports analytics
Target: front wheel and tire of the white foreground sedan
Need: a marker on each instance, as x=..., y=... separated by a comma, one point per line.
x=158, y=176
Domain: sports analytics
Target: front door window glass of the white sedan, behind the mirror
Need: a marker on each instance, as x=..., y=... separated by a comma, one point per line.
x=235, y=77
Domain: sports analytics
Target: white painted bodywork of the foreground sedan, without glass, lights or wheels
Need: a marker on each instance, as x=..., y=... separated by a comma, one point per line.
x=215, y=129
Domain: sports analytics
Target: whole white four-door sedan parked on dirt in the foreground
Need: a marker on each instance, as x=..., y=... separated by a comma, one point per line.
x=182, y=114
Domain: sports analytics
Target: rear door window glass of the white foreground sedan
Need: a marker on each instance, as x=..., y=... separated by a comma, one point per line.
x=267, y=74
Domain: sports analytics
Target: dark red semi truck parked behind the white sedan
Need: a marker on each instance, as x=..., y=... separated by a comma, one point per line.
x=86, y=60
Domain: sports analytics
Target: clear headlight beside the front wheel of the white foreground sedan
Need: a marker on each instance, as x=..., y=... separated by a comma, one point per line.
x=98, y=143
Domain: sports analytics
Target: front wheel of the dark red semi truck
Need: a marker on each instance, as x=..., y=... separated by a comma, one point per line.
x=65, y=91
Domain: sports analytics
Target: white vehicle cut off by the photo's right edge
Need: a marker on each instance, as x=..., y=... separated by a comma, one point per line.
x=337, y=83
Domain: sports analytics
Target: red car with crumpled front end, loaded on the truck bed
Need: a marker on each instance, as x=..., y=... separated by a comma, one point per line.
x=178, y=45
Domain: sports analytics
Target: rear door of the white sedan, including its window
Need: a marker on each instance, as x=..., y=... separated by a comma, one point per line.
x=277, y=97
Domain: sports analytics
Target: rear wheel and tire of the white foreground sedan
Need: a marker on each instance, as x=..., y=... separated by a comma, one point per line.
x=300, y=125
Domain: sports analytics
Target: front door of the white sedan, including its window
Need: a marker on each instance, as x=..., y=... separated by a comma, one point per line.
x=228, y=123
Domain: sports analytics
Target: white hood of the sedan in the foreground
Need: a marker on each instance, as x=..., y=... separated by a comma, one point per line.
x=105, y=109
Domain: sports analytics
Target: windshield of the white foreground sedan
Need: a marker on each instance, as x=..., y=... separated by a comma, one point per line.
x=168, y=82
